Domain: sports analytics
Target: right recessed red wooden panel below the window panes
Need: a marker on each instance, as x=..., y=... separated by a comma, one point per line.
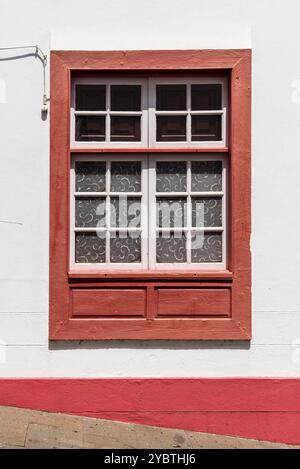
x=193, y=302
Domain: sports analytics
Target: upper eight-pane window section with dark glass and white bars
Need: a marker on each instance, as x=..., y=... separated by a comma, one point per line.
x=151, y=120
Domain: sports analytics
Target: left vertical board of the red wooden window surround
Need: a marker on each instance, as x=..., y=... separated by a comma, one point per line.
x=59, y=301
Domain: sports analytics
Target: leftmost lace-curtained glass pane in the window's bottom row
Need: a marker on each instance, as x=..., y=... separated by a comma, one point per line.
x=90, y=247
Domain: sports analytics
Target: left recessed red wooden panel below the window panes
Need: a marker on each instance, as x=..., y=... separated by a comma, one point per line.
x=109, y=302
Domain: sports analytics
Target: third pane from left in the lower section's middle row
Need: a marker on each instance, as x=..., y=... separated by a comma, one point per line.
x=171, y=212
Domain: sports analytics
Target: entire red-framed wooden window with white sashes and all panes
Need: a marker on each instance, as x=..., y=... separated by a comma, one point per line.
x=150, y=195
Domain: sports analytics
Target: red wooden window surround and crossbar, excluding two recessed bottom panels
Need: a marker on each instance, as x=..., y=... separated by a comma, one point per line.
x=238, y=326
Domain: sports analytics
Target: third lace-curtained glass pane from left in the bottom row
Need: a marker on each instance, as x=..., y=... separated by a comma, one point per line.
x=171, y=248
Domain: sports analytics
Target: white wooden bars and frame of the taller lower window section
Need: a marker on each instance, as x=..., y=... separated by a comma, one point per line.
x=148, y=212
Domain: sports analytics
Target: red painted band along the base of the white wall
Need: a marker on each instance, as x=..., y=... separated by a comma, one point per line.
x=267, y=409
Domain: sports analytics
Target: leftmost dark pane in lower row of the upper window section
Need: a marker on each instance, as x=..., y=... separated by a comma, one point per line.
x=90, y=129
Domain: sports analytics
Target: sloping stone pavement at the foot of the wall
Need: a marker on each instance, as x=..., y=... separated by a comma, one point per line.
x=22, y=428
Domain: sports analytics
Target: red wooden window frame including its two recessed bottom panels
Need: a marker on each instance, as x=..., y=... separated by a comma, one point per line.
x=91, y=305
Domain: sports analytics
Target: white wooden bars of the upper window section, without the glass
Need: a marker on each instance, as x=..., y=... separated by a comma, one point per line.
x=148, y=112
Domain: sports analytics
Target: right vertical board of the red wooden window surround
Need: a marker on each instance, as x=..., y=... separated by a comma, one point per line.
x=240, y=187
